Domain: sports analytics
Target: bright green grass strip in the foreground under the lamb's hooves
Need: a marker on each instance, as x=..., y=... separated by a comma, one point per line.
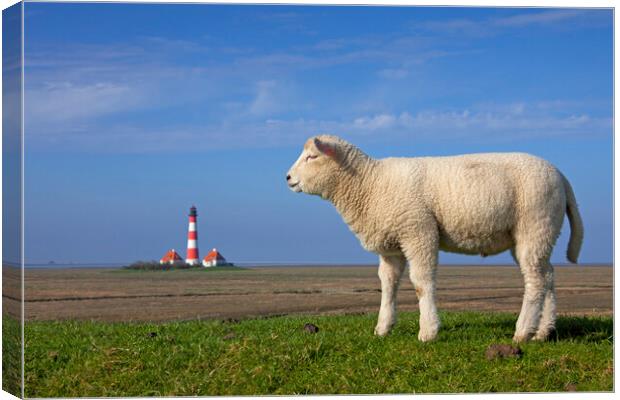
x=276, y=356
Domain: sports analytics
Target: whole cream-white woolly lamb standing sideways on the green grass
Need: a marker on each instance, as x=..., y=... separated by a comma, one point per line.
x=407, y=209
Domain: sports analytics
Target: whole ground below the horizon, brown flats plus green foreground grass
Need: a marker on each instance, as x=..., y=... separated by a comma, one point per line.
x=105, y=332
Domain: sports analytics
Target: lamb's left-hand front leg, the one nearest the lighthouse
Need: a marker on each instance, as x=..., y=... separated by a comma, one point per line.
x=390, y=270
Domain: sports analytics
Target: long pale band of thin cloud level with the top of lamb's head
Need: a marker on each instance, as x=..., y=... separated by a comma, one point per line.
x=512, y=121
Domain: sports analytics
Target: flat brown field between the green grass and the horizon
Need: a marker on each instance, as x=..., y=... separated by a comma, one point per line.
x=117, y=295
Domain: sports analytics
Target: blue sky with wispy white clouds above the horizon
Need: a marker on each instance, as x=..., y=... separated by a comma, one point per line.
x=136, y=112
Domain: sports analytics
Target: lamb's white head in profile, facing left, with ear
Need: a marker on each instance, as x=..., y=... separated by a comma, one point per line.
x=321, y=164
